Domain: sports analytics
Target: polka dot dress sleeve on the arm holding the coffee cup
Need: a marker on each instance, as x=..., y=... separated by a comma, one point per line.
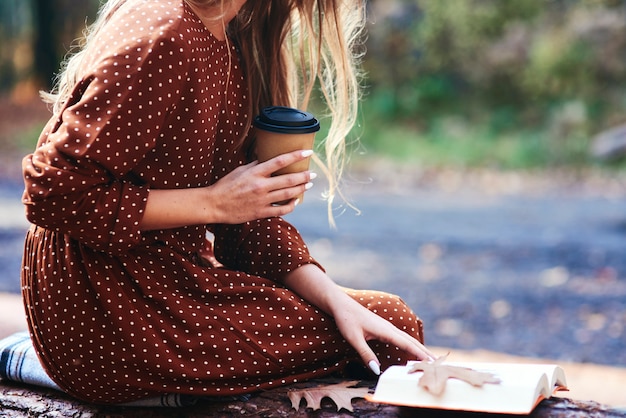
x=79, y=180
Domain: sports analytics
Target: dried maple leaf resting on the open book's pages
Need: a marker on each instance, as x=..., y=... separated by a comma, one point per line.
x=436, y=375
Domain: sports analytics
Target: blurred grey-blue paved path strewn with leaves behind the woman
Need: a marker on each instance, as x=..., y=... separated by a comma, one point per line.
x=534, y=276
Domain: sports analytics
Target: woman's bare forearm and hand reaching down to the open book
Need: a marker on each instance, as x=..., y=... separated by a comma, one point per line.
x=356, y=323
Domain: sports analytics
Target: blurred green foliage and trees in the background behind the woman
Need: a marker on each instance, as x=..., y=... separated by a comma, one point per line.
x=503, y=84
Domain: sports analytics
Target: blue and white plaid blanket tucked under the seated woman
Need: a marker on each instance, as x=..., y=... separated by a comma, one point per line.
x=19, y=363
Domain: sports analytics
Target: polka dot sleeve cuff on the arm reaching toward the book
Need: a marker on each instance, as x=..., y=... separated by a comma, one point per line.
x=269, y=248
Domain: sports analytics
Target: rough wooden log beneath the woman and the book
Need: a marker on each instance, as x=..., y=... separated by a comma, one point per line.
x=25, y=401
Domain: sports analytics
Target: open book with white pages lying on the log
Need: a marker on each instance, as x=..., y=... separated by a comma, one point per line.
x=521, y=388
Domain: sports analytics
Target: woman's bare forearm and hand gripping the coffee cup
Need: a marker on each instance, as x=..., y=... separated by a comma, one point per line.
x=245, y=194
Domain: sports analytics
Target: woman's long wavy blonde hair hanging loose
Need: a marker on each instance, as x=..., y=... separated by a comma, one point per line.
x=291, y=49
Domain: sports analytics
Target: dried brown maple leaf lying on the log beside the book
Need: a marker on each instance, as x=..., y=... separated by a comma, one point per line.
x=340, y=393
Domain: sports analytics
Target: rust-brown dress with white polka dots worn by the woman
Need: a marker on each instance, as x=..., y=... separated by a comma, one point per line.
x=119, y=314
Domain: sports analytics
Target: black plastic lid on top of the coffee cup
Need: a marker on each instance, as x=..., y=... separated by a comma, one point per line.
x=286, y=120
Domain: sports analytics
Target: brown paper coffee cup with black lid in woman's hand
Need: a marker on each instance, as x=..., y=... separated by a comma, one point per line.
x=280, y=130
